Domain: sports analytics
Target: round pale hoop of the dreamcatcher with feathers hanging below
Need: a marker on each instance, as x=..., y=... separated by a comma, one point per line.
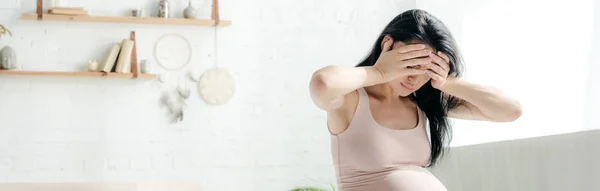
x=173, y=52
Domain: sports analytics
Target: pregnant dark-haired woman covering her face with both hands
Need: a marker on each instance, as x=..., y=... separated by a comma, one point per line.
x=387, y=116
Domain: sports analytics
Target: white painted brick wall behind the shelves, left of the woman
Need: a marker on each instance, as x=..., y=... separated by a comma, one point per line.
x=269, y=137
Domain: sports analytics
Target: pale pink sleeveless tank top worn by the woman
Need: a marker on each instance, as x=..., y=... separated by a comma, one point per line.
x=367, y=154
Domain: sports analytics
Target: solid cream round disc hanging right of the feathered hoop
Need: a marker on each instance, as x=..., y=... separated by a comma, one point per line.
x=216, y=86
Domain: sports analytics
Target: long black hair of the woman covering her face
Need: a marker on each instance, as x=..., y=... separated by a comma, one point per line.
x=420, y=26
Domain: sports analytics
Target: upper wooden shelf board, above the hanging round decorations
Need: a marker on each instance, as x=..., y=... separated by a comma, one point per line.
x=135, y=20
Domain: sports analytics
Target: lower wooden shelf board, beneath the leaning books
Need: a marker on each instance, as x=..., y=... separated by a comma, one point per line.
x=75, y=74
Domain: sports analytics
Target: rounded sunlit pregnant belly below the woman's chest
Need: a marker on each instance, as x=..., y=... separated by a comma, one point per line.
x=404, y=179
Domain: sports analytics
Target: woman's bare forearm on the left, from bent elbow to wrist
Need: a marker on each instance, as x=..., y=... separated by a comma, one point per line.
x=332, y=82
